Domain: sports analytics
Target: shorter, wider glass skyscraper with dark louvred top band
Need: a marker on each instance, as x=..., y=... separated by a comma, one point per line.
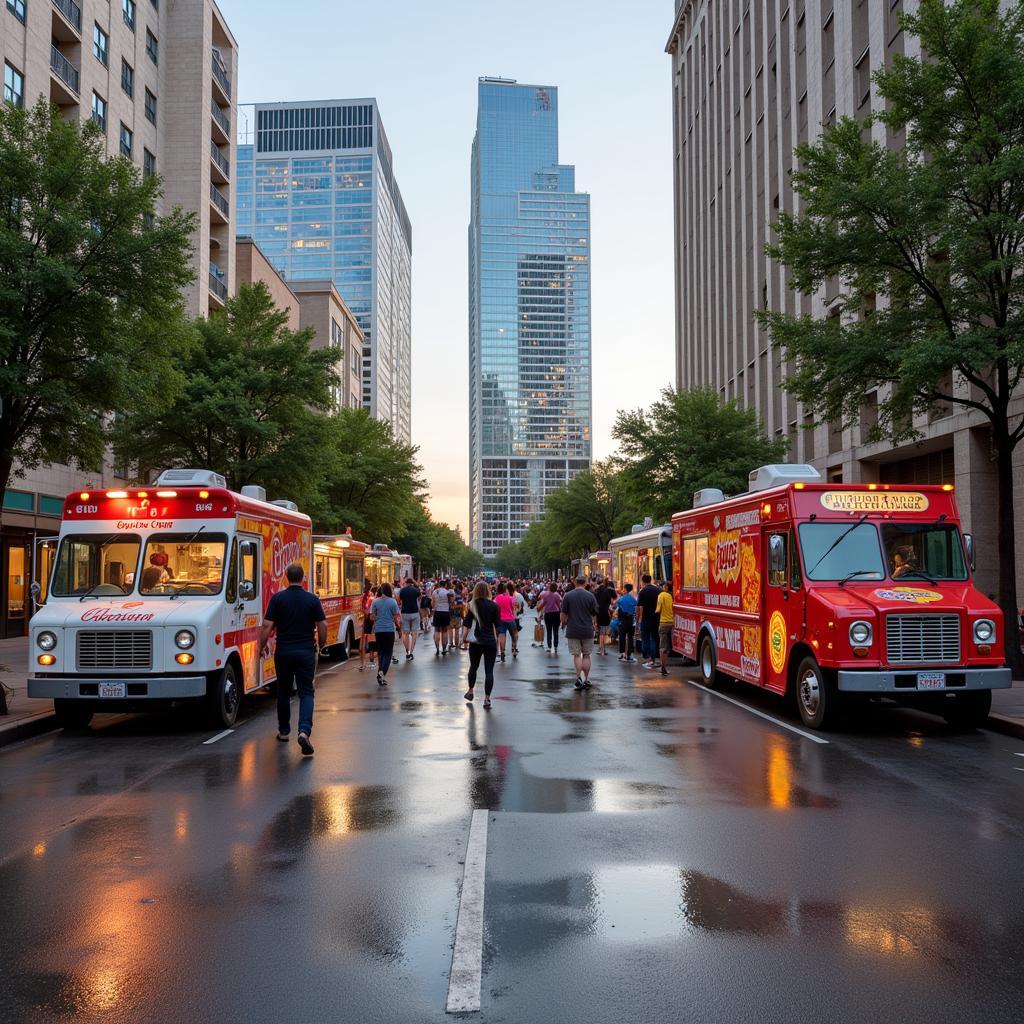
x=317, y=190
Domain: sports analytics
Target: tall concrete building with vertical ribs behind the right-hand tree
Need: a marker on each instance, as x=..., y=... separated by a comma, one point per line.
x=751, y=81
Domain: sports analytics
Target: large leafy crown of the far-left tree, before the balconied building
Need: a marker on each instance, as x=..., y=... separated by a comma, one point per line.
x=92, y=314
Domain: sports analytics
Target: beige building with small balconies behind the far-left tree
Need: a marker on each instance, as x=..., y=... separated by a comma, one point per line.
x=159, y=77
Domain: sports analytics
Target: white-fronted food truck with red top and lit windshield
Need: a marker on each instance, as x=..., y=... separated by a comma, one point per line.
x=157, y=596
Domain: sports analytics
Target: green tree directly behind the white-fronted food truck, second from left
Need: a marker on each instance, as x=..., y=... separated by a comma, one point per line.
x=248, y=407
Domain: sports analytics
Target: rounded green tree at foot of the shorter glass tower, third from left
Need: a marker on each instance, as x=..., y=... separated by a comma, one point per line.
x=370, y=481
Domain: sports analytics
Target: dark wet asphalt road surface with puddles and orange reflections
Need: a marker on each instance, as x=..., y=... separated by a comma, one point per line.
x=655, y=855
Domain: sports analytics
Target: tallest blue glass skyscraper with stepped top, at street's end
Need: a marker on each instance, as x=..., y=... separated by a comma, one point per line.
x=530, y=369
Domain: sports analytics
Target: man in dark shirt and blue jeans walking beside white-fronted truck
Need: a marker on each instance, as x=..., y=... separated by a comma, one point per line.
x=298, y=619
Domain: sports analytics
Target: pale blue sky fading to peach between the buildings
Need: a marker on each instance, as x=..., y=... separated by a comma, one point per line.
x=421, y=61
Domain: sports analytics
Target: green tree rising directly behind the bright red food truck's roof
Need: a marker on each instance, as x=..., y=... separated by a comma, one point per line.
x=689, y=441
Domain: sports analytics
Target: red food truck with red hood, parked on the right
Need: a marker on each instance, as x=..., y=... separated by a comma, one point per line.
x=821, y=591
